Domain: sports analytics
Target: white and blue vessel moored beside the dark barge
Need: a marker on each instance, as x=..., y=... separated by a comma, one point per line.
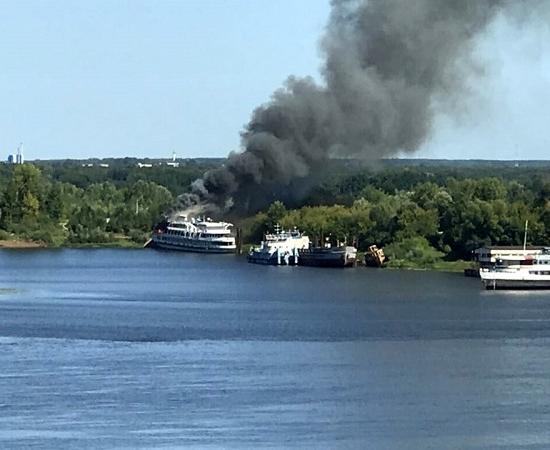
x=279, y=248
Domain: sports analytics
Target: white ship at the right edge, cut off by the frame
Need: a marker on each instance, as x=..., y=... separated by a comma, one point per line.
x=532, y=273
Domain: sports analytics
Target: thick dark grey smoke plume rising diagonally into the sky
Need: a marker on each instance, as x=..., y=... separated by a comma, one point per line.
x=386, y=62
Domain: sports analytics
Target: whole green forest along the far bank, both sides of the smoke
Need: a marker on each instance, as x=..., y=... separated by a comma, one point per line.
x=422, y=211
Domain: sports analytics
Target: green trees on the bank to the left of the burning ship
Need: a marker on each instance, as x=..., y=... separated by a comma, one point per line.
x=66, y=203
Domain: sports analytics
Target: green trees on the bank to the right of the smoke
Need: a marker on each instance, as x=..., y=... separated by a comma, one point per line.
x=422, y=215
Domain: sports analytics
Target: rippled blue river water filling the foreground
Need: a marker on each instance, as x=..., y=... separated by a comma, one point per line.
x=148, y=349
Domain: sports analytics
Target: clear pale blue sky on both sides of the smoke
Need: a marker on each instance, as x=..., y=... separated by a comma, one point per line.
x=103, y=78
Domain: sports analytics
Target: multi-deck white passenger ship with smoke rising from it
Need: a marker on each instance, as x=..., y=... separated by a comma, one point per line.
x=195, y=235
